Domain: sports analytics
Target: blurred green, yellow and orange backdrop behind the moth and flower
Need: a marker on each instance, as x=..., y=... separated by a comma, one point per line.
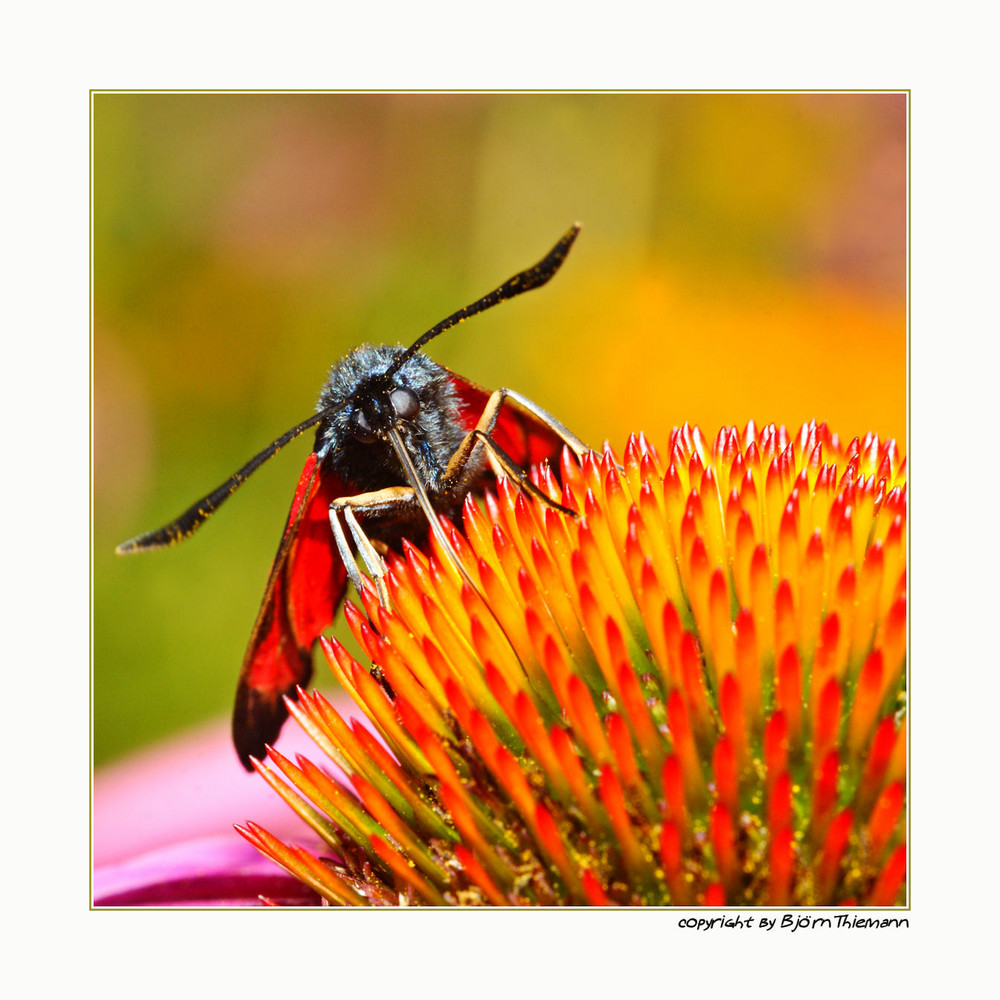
x=742, y=256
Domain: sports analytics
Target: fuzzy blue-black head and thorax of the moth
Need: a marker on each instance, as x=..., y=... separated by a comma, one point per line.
x=357, y=383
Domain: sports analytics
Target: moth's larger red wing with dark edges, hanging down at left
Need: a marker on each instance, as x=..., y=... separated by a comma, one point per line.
x=306, y=586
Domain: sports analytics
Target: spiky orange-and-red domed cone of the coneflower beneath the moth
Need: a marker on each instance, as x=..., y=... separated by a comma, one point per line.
x=693, y=693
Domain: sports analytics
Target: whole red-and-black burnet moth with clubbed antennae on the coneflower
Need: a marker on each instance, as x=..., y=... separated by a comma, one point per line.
x=399, y=441
